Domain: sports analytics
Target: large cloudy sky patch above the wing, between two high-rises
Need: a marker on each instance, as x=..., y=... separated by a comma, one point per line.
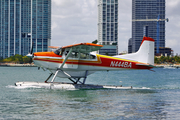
x=73, y=20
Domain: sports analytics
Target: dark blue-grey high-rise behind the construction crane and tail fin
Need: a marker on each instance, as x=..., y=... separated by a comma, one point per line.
x=147, y=9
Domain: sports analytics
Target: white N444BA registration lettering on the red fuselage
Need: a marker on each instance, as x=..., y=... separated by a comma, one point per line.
x=121, y=64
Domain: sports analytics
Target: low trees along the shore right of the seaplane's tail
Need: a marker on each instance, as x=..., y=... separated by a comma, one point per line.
x=168, y=60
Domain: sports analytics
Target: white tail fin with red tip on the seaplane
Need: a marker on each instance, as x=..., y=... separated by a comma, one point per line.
x=145, y=54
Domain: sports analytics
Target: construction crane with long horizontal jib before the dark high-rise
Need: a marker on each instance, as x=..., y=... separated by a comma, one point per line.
x=157, y=35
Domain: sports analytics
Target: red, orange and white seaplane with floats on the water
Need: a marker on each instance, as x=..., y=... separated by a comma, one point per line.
x=76, y=62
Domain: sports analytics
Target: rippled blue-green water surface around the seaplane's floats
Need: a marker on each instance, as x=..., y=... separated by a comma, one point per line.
x=155, y=95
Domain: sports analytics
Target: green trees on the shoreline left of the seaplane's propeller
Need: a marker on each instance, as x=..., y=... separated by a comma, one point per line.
x=18, y=59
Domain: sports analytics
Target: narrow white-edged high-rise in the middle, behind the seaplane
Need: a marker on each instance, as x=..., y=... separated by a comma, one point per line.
x=108, y=26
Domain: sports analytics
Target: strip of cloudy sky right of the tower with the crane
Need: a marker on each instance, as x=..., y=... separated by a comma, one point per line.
x=173, y=26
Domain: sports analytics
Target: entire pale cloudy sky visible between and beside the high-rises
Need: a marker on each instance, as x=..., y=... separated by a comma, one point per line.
x=75, y=21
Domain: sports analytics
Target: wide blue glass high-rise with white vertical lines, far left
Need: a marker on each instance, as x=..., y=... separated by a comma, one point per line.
x=23, y=23
